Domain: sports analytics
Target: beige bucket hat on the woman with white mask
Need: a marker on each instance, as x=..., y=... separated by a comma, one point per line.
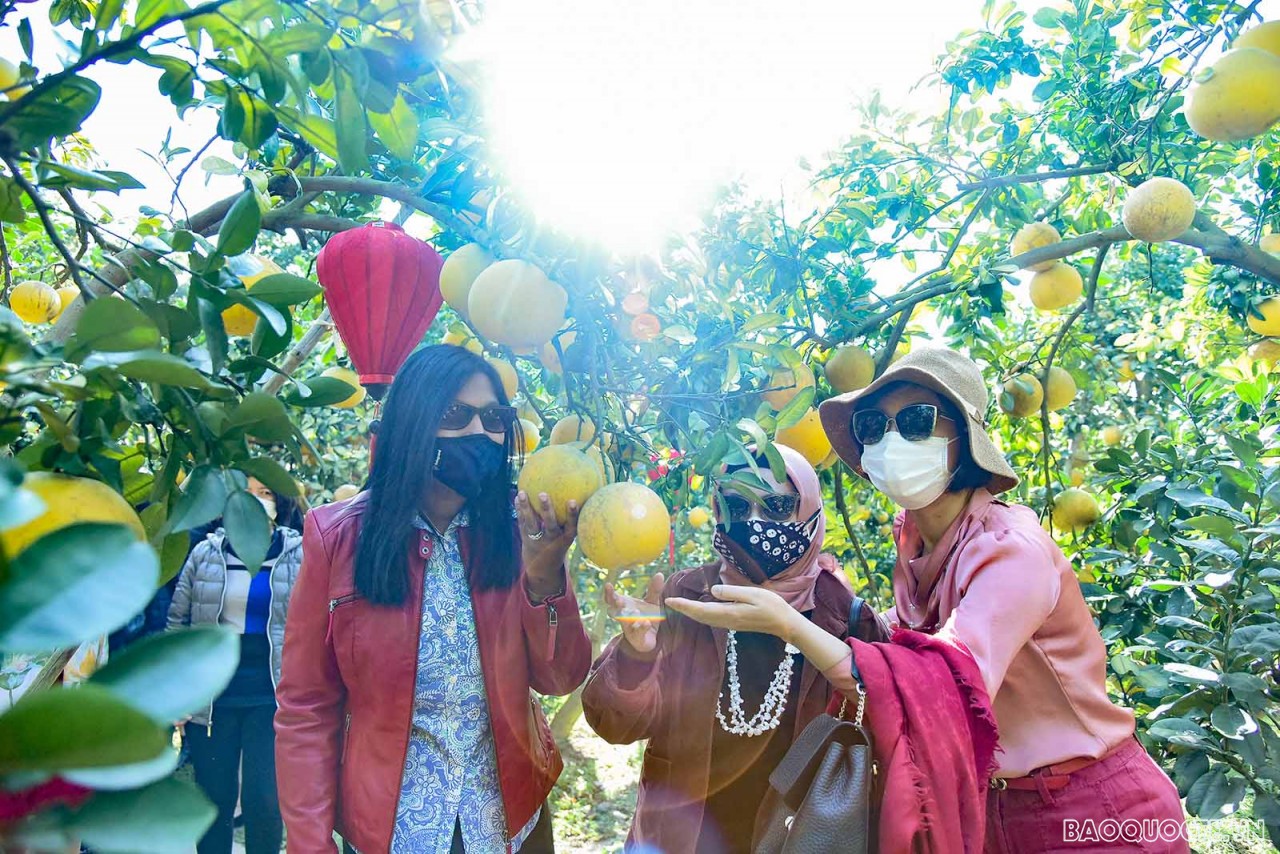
x=953, y=376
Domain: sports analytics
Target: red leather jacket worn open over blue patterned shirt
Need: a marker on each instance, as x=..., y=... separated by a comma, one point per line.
x=346, y=693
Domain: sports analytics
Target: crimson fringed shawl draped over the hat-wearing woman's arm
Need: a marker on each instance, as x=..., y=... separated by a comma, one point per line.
x=935, y=739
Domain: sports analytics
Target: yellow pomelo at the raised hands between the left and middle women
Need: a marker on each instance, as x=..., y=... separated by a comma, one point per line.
x=623, y=526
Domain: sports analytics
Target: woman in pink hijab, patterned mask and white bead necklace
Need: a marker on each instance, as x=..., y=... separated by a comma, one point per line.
x=720, y=709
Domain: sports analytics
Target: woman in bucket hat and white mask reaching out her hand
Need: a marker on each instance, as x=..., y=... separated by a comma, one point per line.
x=985, y=576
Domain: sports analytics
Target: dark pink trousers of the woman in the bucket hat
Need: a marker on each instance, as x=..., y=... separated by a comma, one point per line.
x=1121, y=803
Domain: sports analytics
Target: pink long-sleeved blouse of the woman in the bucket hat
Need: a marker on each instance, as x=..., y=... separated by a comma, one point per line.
x=1004, y=590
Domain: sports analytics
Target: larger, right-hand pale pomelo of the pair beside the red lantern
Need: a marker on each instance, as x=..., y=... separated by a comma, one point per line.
x=514, y=304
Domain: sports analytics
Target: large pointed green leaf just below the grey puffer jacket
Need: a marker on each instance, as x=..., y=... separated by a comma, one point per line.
x=173, y=675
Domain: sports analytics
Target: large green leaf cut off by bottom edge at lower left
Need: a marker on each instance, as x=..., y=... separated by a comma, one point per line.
x=168, y=816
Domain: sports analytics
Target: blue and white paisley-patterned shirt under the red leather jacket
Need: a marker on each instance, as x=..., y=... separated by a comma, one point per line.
x=451, y=770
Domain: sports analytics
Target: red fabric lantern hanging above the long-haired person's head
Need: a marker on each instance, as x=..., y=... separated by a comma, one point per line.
x=383, y=290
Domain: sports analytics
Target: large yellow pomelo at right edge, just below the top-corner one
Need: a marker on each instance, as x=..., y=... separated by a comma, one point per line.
x=1238, y=98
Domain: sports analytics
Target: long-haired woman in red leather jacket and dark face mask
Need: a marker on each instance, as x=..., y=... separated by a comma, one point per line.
x=426, y=611
